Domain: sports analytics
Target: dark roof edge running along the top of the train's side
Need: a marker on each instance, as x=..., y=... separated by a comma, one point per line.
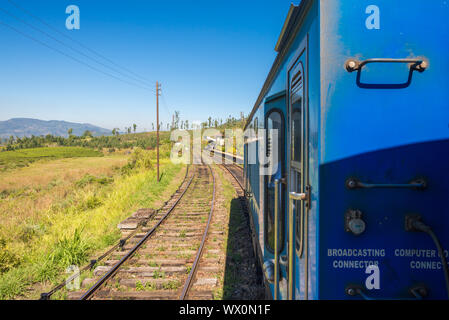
x=292, y=24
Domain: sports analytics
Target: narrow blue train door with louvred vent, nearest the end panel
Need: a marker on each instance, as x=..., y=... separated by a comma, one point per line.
x=297, y=222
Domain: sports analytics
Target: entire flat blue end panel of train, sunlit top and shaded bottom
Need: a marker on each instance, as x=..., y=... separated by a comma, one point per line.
x=381, y=135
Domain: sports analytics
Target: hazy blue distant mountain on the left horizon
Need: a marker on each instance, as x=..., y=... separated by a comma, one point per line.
x=22, y=127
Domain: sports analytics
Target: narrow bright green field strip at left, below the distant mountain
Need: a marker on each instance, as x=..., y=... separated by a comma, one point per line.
x=23, y=157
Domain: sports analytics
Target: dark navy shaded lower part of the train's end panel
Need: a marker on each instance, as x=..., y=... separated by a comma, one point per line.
x=384, y=212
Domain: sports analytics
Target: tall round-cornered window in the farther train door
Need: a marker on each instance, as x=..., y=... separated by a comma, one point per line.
x=274, y=120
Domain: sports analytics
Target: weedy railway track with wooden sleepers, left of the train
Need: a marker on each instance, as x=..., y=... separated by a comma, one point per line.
x=162, y=261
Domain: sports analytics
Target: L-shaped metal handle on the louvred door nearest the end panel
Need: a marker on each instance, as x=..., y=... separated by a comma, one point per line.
x=293, y=196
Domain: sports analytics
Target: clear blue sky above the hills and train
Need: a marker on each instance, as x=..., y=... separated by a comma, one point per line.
x=211, y=57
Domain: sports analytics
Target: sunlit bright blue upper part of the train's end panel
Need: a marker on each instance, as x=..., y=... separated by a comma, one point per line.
x=357, y=120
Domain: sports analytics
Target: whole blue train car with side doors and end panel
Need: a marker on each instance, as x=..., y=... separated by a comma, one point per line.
x=359, y=94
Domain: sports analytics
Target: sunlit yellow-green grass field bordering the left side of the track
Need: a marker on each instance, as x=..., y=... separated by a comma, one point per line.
x=47, y=226
